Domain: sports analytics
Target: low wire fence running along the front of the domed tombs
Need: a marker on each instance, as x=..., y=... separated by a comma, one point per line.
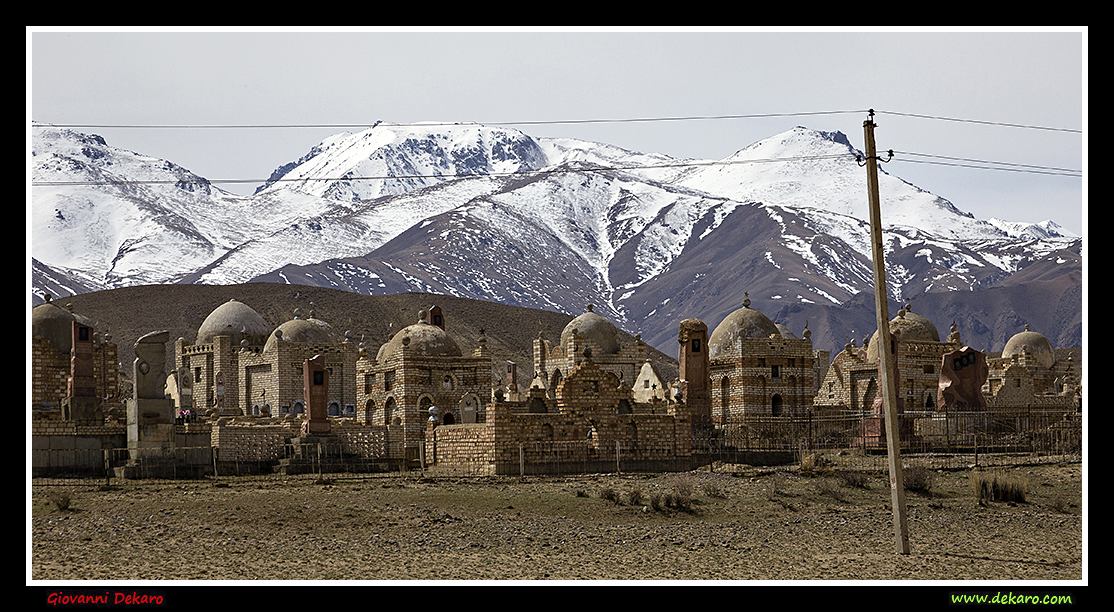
x=852, y=442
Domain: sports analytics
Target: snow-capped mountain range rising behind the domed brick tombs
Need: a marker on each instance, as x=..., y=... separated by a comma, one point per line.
x=495, y=215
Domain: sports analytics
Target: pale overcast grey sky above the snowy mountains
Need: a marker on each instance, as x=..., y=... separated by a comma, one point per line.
x=1037, y=79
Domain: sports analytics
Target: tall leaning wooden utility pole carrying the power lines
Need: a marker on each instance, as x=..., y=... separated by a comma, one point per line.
x=886, y=355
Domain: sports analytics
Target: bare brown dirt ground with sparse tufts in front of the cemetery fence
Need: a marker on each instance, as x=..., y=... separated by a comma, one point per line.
x=736, y=523
